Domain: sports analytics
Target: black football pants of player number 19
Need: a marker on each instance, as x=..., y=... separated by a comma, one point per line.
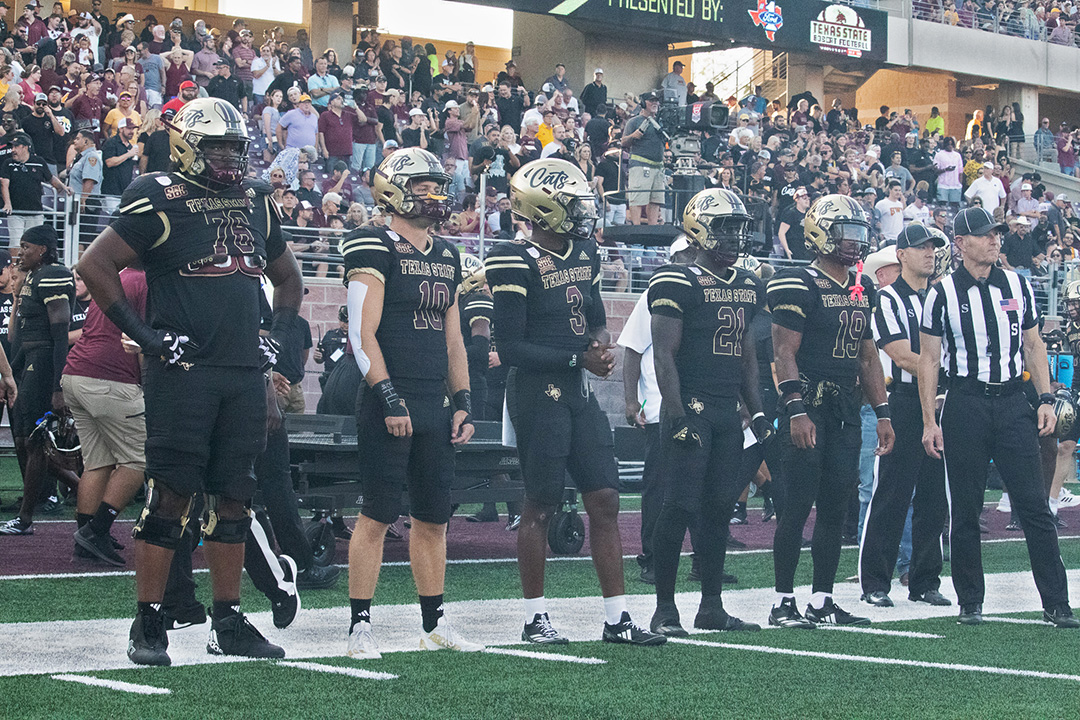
x=826, y=474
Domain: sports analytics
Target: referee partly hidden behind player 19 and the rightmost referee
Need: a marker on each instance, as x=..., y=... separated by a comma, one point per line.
x=908, y=468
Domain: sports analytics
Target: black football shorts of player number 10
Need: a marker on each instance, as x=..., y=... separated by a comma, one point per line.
x=423, y=465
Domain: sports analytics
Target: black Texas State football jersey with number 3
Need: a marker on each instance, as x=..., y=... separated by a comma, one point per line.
x=546, y=300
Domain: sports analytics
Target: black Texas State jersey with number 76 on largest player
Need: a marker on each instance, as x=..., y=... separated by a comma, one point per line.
x=204, y=252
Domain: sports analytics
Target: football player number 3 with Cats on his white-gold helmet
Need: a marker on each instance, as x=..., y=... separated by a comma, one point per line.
x=552, y=327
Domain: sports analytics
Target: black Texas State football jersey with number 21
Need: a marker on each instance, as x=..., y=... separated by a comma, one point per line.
x=717, y=313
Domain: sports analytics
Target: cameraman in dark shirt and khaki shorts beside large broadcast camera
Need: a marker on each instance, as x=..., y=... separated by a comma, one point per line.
x=645, y=141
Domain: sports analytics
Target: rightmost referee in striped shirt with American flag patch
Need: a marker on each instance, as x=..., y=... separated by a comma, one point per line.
x=989, y=322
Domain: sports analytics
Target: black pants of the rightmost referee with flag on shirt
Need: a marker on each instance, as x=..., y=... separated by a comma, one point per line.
x=978, y=429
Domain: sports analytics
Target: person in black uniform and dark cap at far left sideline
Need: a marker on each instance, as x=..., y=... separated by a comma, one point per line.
x=40, y=344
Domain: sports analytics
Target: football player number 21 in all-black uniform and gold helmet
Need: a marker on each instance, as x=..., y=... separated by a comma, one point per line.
x=700, y=317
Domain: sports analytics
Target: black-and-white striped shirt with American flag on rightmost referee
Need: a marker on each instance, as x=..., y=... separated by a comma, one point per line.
x=981, y=324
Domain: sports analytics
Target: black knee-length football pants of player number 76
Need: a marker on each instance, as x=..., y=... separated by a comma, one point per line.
x=205, y=428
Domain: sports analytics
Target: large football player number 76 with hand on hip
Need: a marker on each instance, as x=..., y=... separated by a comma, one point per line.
x=206, y=236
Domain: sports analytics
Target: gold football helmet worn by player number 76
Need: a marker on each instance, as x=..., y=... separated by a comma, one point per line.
x=208, y=141
